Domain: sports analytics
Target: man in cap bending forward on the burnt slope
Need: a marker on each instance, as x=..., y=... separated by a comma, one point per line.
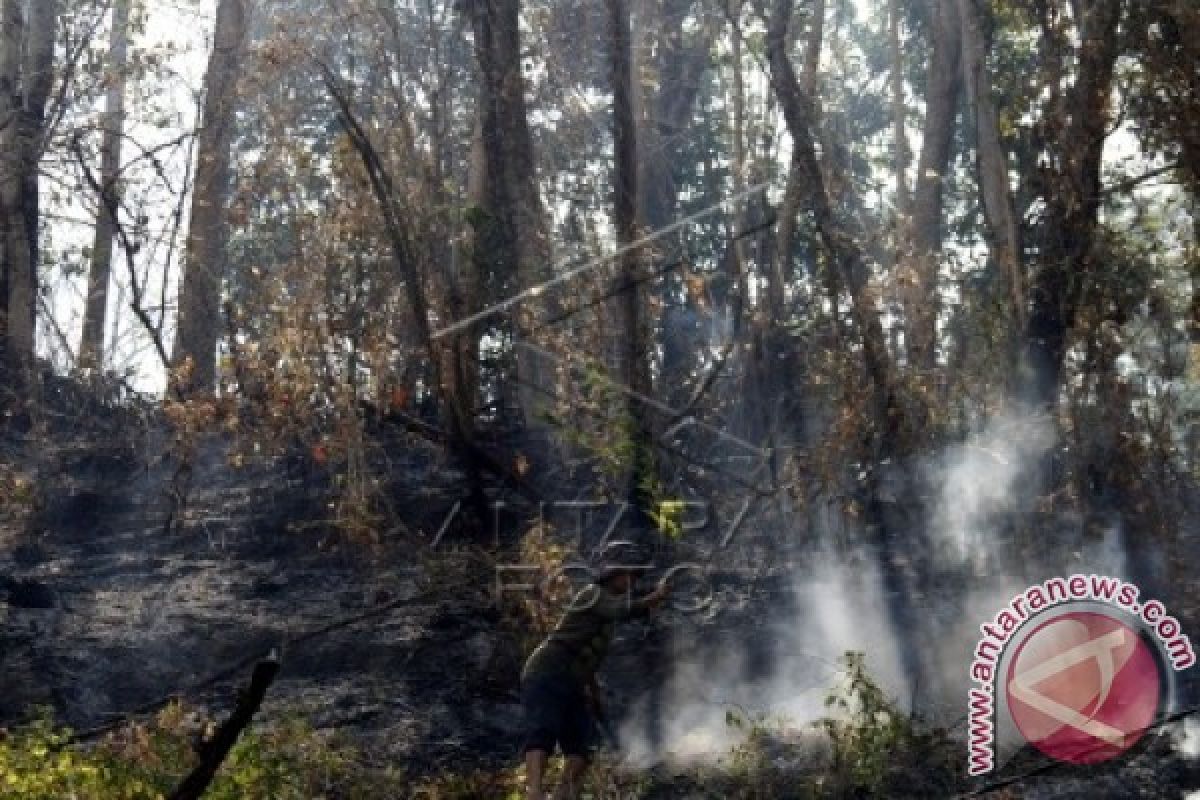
x=559, y=684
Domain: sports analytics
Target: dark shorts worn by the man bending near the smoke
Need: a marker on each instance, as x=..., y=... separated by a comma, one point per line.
x=556, y=714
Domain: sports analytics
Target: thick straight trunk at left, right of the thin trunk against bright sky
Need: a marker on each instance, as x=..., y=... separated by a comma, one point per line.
x=200, y=297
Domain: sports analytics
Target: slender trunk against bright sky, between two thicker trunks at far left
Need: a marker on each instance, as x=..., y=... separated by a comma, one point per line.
x=92, y=346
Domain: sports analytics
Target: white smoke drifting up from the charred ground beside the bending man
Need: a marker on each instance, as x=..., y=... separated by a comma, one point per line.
x=838, y=604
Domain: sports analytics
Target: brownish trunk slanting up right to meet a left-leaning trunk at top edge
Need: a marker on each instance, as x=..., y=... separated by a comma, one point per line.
x=941, y=104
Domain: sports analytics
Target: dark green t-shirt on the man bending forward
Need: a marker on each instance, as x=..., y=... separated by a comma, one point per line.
x=580, y=641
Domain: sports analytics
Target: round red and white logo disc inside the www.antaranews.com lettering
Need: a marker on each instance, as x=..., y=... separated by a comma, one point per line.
x=1084, y=688
